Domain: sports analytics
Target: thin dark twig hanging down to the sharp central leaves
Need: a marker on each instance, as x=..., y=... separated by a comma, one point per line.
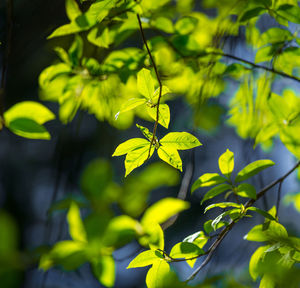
x=158, y=79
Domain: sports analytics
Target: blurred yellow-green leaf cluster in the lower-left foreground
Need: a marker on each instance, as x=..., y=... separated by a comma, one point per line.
x=98, y=249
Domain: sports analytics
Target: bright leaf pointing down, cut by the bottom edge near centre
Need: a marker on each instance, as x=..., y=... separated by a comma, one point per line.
x=157, y=274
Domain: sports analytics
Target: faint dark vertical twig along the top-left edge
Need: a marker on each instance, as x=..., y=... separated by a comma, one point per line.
x=5, y=57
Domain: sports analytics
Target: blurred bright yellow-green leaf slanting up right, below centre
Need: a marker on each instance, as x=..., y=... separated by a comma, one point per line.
x=164, y=209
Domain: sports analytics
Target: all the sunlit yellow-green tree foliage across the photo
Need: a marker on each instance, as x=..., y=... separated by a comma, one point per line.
x=182, y=55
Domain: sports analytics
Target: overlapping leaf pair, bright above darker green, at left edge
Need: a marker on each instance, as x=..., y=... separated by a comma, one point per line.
x=26, y=118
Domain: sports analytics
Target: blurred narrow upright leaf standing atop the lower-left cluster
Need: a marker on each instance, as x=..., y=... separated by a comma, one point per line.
x=76, y=227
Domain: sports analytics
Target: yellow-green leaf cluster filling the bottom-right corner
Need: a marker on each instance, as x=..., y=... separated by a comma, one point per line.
x=275, y=261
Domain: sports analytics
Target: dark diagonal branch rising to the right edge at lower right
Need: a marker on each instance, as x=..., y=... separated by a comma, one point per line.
x=225, y=231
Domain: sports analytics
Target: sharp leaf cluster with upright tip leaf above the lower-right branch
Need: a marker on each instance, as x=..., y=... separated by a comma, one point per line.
x=235, y=187
